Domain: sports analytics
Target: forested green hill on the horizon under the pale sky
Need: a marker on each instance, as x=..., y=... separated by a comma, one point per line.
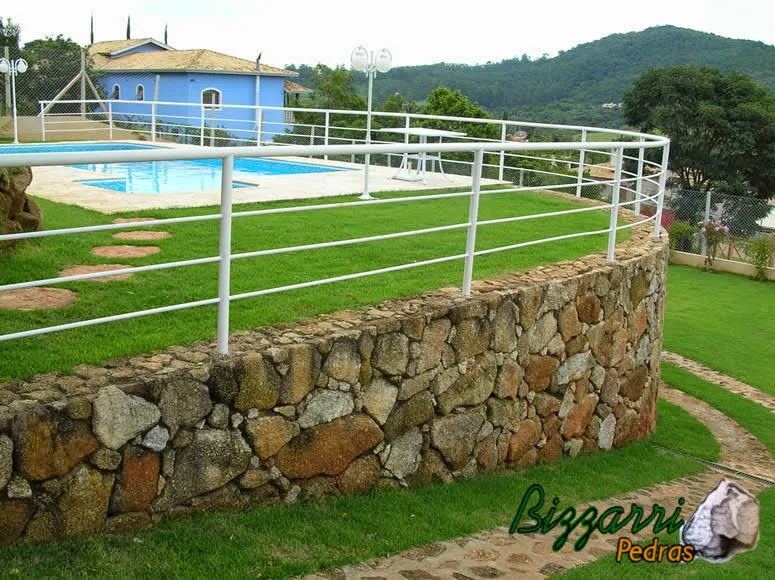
x=573, y=85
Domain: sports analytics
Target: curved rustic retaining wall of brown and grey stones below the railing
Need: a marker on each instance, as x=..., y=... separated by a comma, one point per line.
x=558, y=360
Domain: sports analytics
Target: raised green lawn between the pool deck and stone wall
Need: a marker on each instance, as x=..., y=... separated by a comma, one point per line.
x=44, y=258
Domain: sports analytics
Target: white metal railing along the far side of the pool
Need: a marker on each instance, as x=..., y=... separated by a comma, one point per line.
x=197, y=123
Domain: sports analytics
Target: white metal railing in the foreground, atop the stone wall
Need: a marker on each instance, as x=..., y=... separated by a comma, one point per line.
x=621, y=181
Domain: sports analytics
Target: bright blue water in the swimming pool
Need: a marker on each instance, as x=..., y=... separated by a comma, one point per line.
x=150, y=177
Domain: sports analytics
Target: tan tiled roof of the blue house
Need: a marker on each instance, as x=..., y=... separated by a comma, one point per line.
x=173, y=60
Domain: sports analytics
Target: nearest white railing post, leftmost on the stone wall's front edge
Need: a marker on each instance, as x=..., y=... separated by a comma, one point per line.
x=224, y=251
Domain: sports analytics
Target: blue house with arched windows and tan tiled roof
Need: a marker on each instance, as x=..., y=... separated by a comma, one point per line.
x=200, y=82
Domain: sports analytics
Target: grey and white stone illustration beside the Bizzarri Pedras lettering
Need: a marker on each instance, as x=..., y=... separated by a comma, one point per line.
x=725, y=523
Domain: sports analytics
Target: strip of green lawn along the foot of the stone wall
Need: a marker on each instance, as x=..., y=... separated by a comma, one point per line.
x=280, y=541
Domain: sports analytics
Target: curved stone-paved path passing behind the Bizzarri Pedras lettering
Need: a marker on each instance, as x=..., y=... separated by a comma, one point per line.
x=497, y=554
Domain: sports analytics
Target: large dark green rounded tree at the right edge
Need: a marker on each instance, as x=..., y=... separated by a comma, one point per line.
x=722, y=128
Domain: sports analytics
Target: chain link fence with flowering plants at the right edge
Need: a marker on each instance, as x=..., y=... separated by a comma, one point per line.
x=746, y=219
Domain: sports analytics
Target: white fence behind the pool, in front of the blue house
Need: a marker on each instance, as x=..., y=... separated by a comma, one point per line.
x=227, y=125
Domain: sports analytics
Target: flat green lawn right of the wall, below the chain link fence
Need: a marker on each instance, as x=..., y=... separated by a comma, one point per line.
x=724, y=321
